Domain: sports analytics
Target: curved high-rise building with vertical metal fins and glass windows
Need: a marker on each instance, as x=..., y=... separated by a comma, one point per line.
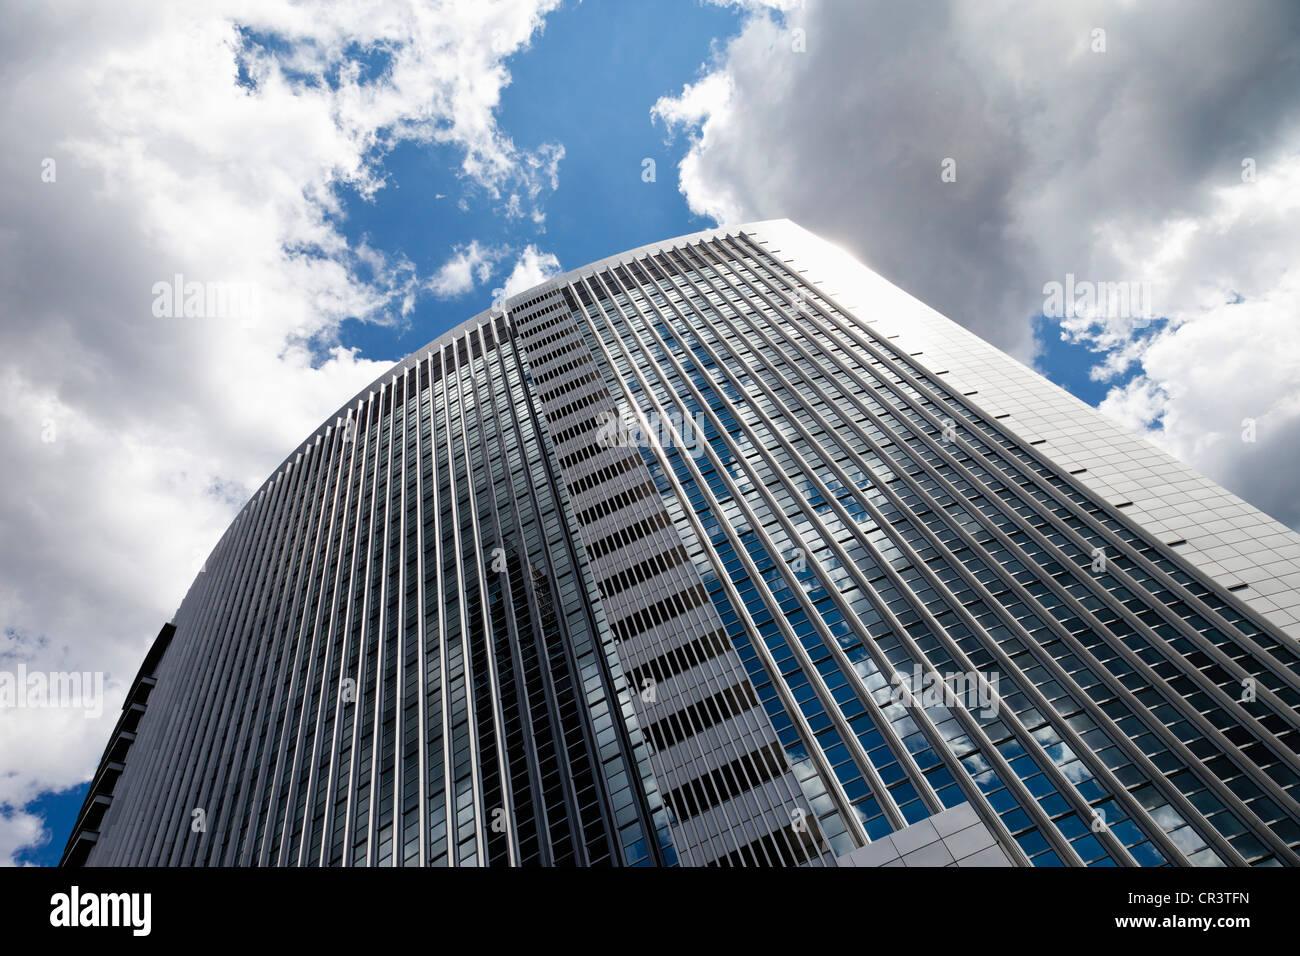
x=720, y=552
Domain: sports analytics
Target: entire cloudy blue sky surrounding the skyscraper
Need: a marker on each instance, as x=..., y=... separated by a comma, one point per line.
x=261, y=161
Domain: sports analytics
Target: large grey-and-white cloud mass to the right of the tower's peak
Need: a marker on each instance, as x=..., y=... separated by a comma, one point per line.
x=1113, y=142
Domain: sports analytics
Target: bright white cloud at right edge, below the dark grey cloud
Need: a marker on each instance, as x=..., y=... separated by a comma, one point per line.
x=1220, y=386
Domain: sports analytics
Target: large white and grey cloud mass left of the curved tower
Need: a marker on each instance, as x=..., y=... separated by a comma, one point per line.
x=197, y=146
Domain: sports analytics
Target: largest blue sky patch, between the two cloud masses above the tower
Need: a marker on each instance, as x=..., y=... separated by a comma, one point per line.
x=588, y=83
